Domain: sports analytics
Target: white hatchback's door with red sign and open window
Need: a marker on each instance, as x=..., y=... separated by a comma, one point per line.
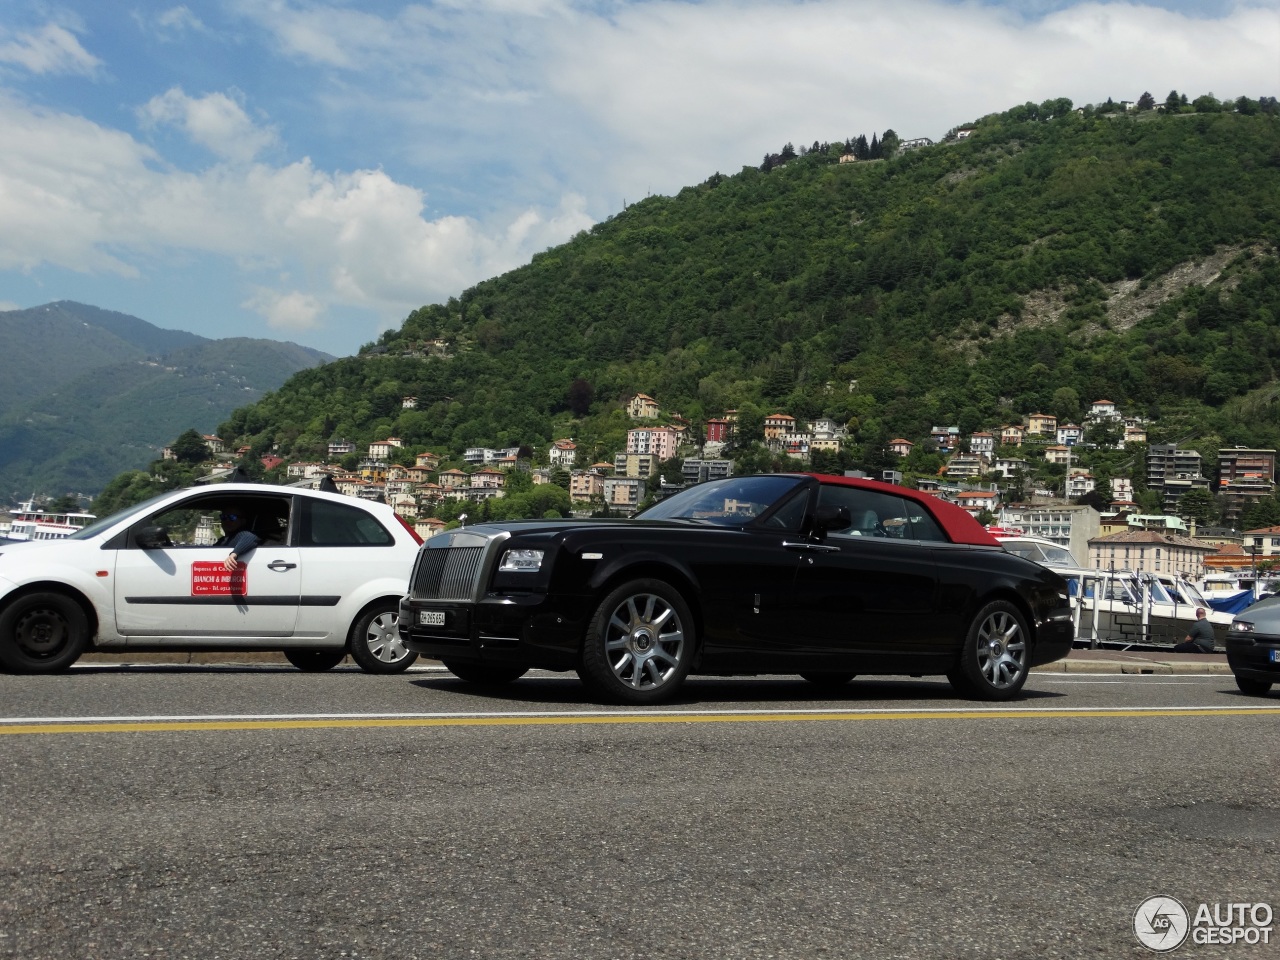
x=179, y=591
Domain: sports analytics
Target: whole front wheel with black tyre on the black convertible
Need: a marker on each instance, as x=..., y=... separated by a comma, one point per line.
x=639, y=644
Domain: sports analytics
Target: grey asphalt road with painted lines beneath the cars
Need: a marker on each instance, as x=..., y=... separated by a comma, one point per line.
x=255, y=812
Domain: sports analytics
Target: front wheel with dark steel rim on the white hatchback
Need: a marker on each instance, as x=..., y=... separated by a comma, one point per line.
x=43, y=633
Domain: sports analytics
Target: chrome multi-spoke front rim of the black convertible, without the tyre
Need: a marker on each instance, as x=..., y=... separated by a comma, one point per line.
x=644, y=642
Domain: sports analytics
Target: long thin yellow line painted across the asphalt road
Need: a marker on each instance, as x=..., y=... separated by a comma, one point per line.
x=525, y=721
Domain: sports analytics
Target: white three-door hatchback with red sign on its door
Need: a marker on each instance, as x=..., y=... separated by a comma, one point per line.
x=324, y=582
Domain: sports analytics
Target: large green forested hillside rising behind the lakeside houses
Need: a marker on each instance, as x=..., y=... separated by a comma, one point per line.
x=1035, y=266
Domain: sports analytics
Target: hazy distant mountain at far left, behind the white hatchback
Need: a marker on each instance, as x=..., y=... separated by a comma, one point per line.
x=89, y=394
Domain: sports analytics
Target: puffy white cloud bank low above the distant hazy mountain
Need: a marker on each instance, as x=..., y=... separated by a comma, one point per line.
x=88, y=199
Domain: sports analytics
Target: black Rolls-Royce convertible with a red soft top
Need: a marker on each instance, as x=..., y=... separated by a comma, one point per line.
x=822, y=577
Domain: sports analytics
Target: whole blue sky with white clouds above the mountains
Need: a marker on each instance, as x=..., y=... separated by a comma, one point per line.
x=313, y=171
